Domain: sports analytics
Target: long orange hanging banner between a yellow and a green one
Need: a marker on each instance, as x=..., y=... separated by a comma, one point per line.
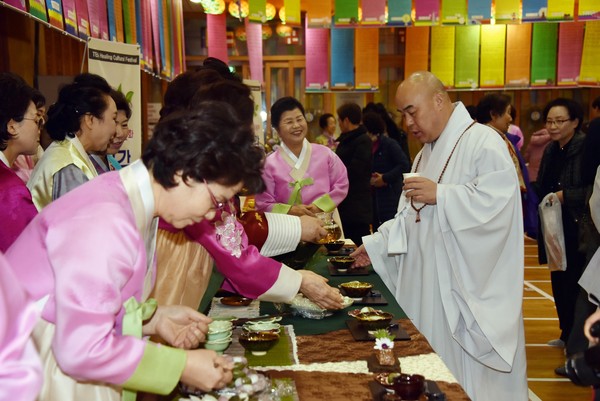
x=518, y=54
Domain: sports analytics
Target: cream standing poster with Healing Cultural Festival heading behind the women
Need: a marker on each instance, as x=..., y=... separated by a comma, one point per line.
x=119, y=64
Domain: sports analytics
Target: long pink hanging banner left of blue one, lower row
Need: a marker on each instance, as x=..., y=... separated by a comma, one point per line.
x=317, y=41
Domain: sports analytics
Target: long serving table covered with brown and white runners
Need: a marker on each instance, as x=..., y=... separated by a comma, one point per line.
x=328, y=341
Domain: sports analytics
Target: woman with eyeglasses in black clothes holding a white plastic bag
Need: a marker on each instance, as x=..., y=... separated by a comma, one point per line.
x=560, y=172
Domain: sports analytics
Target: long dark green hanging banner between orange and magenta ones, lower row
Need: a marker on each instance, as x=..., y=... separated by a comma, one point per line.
x=543, y=54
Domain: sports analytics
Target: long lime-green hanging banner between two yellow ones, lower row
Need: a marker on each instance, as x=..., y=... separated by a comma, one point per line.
x=467, y=56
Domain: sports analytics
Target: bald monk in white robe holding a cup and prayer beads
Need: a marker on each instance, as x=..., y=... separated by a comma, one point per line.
x=454, y=256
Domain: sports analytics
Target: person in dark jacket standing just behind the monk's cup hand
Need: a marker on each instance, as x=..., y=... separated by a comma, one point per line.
x=389, y=162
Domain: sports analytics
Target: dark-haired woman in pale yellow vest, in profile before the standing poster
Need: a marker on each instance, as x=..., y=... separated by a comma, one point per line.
x=82, y=121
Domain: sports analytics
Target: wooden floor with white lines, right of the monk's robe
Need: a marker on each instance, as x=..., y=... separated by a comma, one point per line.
x=541, y=326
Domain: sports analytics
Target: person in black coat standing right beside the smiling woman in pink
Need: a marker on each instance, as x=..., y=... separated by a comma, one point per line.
x=354, y=148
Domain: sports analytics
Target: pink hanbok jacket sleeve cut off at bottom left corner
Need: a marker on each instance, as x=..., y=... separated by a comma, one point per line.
x=20, y=368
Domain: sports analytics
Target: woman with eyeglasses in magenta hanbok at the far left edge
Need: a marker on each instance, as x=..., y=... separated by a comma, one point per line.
x=19, y=135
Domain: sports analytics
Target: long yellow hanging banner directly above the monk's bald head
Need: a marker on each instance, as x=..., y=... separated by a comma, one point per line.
x=442, y=54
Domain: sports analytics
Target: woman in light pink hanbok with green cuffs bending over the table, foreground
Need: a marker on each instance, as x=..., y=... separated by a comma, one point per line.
x=88, y=259
